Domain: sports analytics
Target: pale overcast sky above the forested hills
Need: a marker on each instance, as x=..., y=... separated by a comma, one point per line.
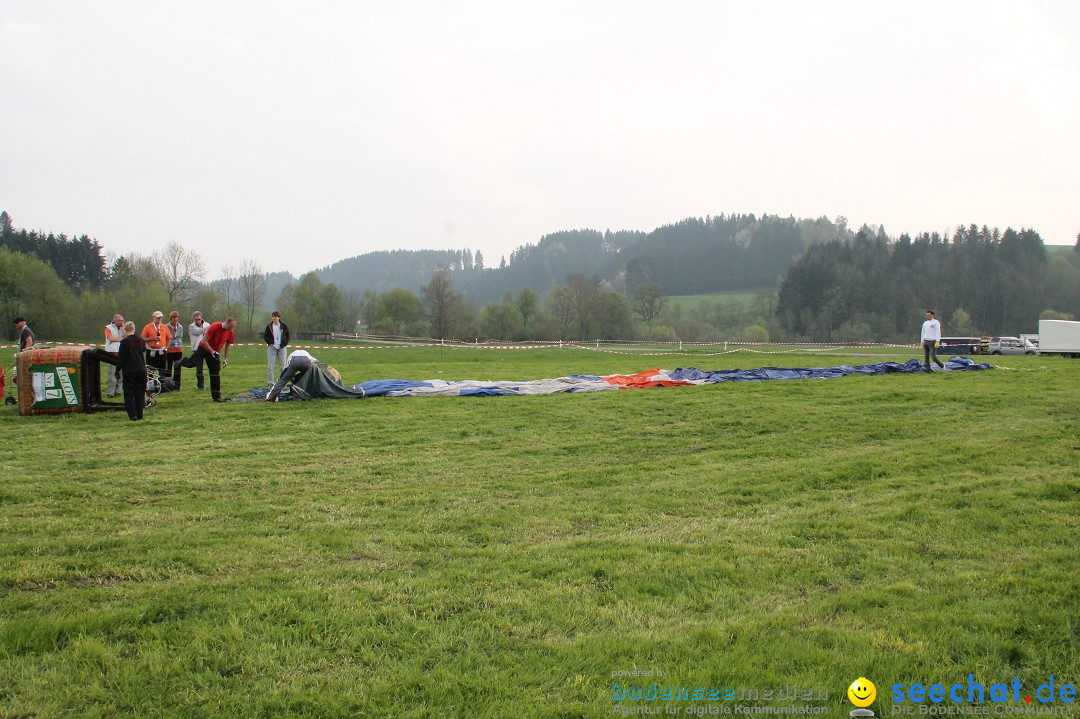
x=299, y=134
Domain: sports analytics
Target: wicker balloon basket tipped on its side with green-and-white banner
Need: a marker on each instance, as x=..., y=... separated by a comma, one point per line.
x=60, y=381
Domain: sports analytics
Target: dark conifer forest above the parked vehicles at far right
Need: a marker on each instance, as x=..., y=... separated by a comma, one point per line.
x=980, y=281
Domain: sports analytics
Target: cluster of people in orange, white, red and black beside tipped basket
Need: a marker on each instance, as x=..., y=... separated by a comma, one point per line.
x=160, y=346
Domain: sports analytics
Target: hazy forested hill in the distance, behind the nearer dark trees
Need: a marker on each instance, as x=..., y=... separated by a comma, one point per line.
x=715, y=254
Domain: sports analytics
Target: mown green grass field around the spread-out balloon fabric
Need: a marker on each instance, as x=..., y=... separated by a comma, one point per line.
x=504, y=557
